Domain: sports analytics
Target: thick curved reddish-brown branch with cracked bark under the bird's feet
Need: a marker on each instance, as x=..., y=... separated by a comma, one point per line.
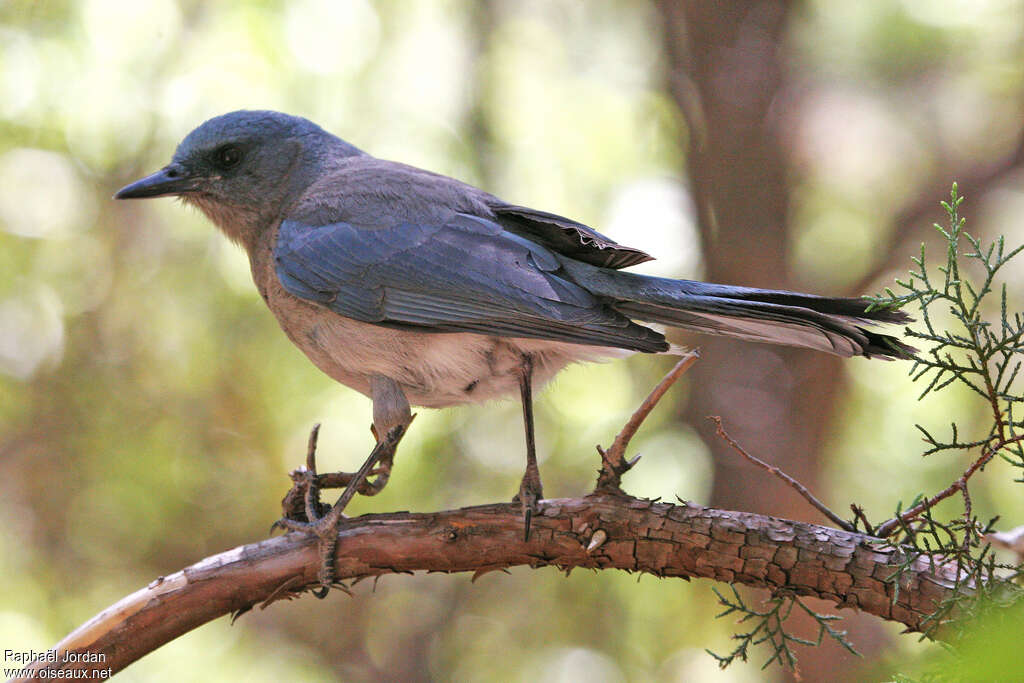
x=600, y=532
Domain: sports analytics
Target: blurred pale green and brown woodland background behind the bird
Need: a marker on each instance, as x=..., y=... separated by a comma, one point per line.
x=151, y=409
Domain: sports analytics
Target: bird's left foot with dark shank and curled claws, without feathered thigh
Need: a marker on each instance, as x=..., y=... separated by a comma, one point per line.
x=321, y=521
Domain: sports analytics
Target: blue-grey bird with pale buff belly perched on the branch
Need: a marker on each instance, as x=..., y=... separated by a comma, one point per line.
x=416, y=289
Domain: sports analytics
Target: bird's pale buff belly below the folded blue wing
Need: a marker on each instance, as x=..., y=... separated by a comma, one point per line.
x=434, y=370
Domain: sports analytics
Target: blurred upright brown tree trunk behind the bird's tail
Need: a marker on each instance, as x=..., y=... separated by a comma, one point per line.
x=727, y=73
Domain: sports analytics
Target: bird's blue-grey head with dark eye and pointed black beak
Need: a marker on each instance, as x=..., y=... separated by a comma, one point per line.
x=239, y=168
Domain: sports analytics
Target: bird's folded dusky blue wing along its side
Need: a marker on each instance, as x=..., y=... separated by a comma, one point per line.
x=465, y=275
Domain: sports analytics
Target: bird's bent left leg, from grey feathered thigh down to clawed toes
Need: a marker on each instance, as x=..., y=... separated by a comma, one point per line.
x=392, y=419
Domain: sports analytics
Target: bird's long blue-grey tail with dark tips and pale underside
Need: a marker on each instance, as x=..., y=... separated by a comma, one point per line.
x=832, y=325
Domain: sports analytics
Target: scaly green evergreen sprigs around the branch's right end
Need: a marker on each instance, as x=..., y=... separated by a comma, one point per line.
x=970, y=338
